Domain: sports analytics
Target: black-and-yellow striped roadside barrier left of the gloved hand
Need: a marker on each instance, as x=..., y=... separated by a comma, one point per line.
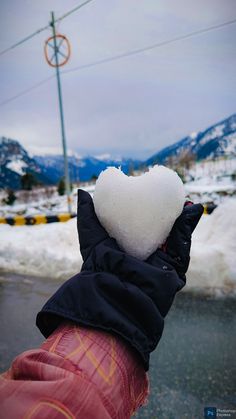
x=20, y=220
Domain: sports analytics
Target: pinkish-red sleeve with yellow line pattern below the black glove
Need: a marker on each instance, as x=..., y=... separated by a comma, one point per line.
x=77, y=373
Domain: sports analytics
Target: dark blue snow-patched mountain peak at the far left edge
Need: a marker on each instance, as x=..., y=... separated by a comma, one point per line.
x=15, y=162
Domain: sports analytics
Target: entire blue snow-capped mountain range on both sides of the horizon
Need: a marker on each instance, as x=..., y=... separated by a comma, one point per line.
x=48, y=168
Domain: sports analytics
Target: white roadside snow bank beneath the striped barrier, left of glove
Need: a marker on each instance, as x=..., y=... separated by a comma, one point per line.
x=48, y=250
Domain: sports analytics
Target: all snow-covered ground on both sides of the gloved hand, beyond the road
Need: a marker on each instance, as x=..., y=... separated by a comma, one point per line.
x=52, y=250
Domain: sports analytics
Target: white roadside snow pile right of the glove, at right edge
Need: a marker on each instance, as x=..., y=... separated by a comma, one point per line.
x=213, y=263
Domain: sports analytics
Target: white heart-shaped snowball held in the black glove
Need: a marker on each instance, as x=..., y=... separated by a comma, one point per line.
x=139, y=211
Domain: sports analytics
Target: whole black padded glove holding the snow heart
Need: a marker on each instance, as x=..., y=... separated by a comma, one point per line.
x=117, y=292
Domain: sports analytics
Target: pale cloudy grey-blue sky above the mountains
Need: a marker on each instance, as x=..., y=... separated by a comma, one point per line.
x=130, y=107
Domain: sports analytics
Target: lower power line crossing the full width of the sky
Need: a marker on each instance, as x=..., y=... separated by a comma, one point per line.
x=122, y=55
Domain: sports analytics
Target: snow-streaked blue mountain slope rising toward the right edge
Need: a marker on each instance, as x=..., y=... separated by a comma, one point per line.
x=218, y=140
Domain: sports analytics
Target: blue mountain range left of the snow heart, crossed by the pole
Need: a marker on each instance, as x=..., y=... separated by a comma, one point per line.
x=49, y=169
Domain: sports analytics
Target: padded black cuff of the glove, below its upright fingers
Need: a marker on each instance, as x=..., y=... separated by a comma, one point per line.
x=119, y=293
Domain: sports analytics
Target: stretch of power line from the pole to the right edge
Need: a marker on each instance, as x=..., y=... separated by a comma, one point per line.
x=149, y=47
